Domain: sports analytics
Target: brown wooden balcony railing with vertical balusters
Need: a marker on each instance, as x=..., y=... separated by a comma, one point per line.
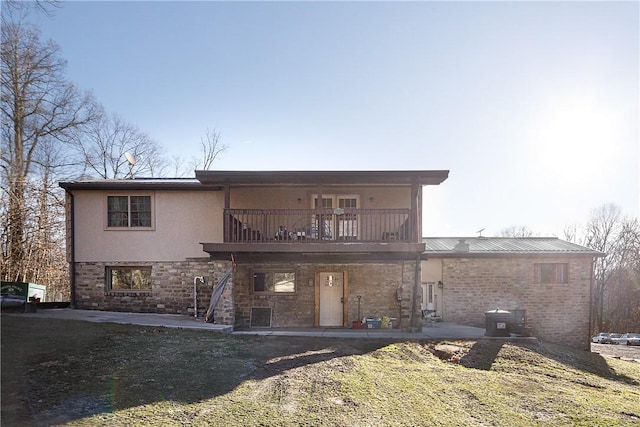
x=314, y=225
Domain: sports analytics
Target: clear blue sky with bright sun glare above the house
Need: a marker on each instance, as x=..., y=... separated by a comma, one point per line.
x=532, y=106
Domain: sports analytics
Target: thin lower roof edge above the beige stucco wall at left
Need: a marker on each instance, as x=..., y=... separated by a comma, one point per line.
x=138, y=184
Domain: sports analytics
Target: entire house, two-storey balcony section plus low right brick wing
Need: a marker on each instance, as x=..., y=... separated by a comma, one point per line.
x=309, y=249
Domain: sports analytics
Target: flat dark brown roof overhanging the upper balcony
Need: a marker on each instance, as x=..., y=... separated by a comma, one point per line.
x=422, y=177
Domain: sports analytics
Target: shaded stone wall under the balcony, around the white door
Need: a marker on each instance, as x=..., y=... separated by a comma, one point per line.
x=375, y=282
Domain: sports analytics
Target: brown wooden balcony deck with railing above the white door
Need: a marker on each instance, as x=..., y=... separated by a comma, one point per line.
x=326, y=231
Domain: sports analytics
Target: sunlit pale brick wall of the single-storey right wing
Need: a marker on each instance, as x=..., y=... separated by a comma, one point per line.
x=555, y=312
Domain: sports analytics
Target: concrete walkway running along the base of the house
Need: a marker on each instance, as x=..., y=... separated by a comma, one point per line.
x=439, y=330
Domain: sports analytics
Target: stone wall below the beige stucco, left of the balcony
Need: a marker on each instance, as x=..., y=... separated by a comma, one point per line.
x=172, y=289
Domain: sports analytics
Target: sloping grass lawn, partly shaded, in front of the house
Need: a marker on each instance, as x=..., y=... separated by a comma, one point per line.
x=57, y=372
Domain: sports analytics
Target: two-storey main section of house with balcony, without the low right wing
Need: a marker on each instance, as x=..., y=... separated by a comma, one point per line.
x=306, y=249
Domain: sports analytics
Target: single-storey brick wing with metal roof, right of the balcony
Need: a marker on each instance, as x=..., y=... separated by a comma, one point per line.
x=544, y=281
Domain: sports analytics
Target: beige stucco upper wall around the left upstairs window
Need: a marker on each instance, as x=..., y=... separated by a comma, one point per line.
x=182, y=220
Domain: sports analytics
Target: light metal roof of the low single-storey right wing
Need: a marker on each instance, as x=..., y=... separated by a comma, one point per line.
x=492, y=246
